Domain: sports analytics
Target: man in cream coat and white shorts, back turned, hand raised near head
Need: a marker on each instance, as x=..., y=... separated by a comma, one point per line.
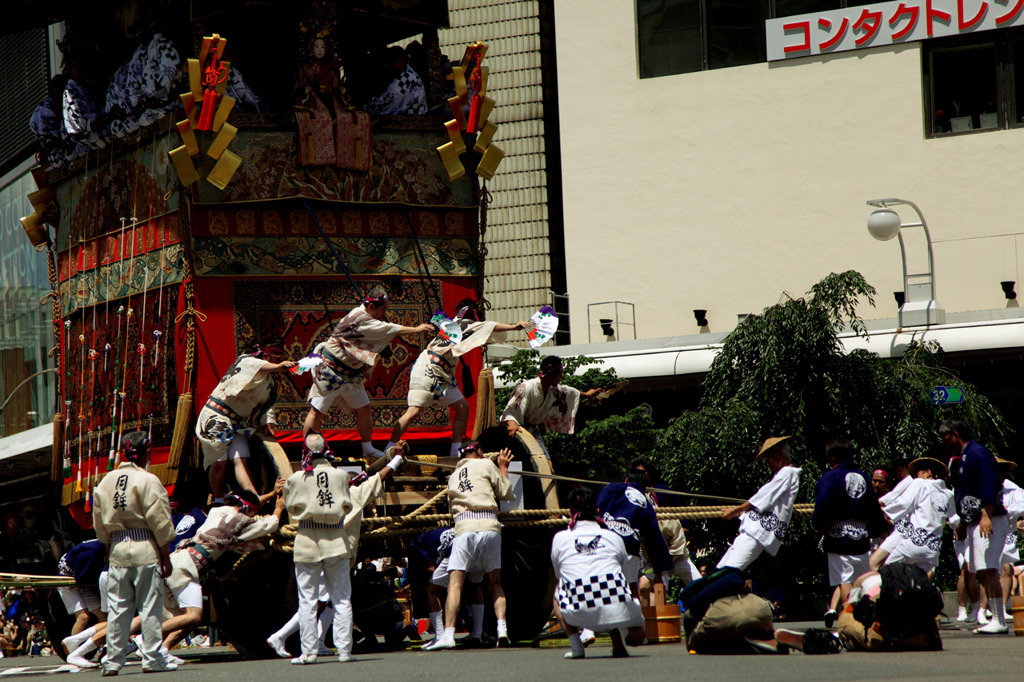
x=475, y=489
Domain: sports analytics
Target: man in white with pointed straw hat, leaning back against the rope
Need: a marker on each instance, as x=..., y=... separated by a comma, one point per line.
x=765, y=518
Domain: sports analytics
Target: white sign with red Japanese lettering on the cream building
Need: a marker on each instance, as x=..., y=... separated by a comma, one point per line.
x=886, y=24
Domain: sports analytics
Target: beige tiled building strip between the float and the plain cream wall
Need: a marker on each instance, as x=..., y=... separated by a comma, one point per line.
x=519, y=266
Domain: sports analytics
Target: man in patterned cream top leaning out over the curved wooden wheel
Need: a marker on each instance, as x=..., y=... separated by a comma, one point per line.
x=544, y=405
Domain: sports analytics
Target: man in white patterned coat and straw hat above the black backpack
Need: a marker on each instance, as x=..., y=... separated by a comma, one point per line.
x=924, y=509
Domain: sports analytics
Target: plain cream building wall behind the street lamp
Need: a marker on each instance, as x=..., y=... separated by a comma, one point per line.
x=724, y=189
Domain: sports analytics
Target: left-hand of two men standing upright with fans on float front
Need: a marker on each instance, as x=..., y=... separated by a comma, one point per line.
x=350, y=356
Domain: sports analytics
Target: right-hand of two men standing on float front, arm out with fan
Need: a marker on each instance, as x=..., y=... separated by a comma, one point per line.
x=434, y=383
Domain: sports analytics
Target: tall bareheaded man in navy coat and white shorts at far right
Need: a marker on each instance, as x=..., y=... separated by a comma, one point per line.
x=979, y=502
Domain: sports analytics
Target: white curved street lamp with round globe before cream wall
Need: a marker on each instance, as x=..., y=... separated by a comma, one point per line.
x=920, y=308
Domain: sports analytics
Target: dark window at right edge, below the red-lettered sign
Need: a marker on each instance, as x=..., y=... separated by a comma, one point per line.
x=972, y=86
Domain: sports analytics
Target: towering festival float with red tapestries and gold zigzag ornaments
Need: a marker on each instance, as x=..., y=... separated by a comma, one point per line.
x=177, y=247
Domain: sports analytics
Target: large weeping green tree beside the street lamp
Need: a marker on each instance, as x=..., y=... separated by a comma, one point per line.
x=785, y=373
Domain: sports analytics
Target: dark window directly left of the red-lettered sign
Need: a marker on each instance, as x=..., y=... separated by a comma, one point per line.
x=684, y=36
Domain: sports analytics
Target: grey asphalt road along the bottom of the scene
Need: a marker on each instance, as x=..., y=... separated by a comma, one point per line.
x=966, y=657
